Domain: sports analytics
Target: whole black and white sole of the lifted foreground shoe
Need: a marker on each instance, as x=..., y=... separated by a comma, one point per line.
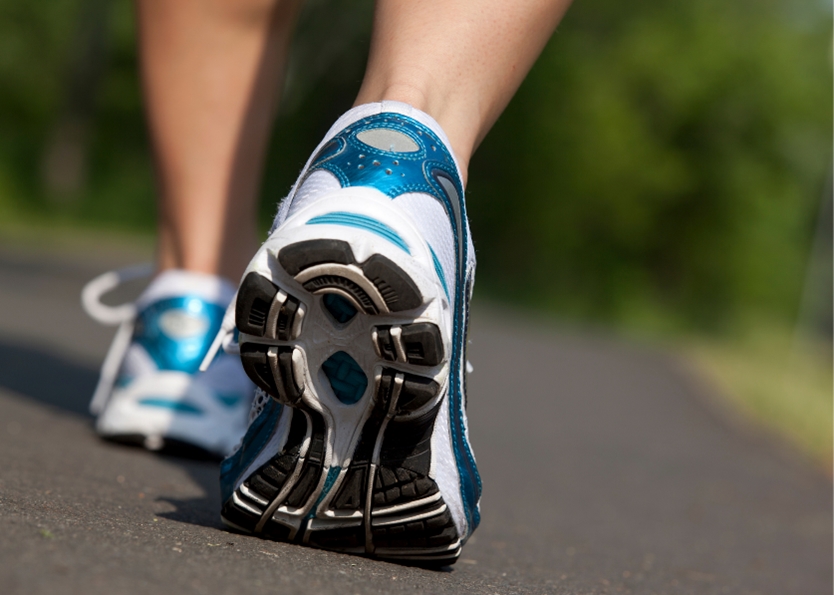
x=354, y=472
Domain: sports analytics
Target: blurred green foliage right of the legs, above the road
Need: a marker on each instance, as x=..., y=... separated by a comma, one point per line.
x=661, y=166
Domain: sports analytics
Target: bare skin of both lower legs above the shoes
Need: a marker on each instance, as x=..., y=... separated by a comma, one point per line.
x=212, y=71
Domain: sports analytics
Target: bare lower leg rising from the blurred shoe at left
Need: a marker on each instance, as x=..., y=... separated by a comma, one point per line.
x=212, y=71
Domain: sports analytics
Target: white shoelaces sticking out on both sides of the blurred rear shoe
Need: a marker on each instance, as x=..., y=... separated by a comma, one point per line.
x=124, y=316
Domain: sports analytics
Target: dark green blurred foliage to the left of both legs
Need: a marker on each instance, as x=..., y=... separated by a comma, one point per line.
x=40, y=46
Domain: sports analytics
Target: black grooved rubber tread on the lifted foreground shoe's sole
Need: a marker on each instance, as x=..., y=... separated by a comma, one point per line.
x=385, y=504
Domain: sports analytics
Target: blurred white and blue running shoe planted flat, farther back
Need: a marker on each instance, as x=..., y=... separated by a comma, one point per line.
x=150, y=391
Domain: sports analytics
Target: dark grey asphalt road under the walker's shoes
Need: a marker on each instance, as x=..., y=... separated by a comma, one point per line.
x=607, y=469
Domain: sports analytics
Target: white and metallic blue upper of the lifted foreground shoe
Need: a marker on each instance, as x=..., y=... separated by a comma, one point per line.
x=403, y=154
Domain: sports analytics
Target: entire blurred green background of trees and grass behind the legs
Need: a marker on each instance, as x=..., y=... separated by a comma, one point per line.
x=664, y=171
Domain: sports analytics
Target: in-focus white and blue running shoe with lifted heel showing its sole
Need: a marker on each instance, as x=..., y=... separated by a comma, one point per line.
x=352, y=322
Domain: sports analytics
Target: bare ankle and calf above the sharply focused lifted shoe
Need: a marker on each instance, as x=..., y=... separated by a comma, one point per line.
x=460, y=61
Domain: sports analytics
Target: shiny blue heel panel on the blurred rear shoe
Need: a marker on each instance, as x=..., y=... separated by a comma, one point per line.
x=177, y=332
